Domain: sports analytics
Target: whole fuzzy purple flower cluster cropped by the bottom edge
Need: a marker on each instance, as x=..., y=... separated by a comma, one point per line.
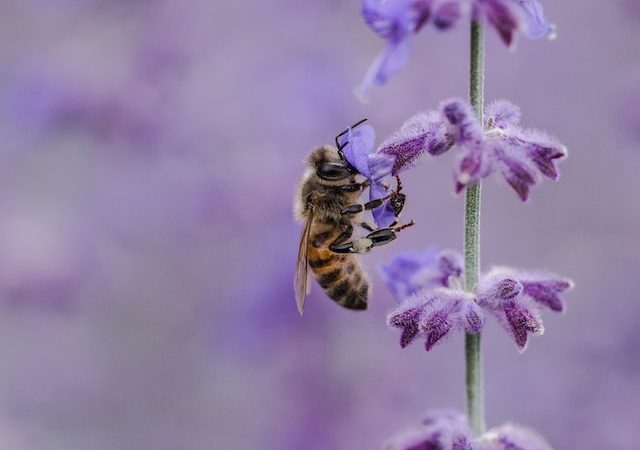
x=449, y=430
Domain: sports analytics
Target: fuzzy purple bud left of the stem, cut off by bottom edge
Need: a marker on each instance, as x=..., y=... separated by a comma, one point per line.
x=442, y=430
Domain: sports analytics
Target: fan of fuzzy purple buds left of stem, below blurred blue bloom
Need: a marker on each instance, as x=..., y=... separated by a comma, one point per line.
x=435, y=314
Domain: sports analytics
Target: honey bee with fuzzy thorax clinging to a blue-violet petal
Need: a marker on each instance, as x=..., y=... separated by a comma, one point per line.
x=327, y=203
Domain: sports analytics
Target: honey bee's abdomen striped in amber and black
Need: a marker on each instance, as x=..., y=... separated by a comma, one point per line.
x=340, y=275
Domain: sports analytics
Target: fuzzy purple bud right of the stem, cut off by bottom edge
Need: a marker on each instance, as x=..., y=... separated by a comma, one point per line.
x=512, y=437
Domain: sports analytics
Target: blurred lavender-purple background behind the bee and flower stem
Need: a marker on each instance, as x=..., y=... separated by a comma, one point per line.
x=149, y=152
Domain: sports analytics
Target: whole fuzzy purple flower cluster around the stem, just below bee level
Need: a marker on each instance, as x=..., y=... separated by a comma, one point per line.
x=434, y=306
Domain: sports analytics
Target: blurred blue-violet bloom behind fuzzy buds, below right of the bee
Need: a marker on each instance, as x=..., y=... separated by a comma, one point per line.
x=410, y=272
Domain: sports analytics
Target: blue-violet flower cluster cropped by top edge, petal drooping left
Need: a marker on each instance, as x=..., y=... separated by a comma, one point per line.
x=396, y=20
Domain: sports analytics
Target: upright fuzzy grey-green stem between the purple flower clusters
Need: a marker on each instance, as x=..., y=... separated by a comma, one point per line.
x=473, y=351
